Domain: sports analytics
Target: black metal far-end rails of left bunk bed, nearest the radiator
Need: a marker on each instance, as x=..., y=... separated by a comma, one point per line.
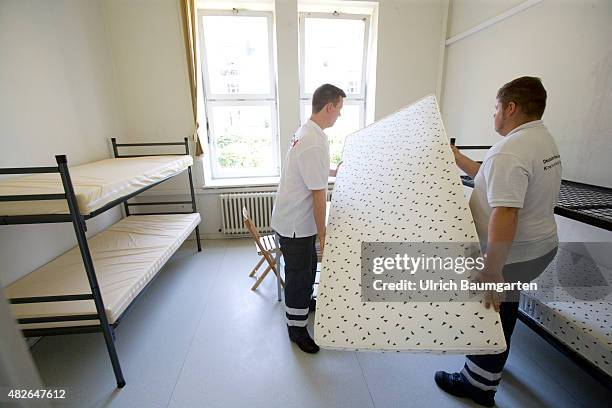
x=126, y=205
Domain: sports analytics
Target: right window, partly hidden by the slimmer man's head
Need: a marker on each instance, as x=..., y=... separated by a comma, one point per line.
x=333, y=49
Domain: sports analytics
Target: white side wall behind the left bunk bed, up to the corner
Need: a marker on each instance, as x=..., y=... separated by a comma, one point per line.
x=57, y=96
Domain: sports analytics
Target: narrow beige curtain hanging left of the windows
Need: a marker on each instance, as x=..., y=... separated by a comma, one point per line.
x=188, y=17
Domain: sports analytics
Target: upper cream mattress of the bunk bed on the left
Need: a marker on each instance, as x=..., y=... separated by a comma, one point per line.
x=95, y=184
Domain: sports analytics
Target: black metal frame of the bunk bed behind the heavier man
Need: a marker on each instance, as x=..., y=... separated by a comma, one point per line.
x=568, y=207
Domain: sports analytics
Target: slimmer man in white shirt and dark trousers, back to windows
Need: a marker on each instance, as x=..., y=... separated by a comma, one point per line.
x=299, y=211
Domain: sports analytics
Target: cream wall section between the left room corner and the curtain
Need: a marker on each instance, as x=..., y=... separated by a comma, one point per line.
x=151, y=70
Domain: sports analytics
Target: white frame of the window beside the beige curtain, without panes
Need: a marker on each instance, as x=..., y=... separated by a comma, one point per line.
x=238, y=99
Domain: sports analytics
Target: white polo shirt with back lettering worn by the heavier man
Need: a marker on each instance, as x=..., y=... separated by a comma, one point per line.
x=521, y=171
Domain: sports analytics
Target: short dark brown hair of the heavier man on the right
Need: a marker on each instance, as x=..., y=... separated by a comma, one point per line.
x=526, y=92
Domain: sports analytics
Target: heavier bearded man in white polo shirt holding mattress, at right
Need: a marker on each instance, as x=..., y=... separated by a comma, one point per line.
x=513, y=201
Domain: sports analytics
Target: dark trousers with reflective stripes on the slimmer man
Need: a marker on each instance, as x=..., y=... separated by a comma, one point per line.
x=298, y=255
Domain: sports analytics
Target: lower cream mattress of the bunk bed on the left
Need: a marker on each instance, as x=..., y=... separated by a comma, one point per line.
x=126, y=257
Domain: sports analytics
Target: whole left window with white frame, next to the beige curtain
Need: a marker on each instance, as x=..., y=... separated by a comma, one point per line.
x=240, y=93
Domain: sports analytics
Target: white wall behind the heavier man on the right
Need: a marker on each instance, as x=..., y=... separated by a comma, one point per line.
x=567, y=44
